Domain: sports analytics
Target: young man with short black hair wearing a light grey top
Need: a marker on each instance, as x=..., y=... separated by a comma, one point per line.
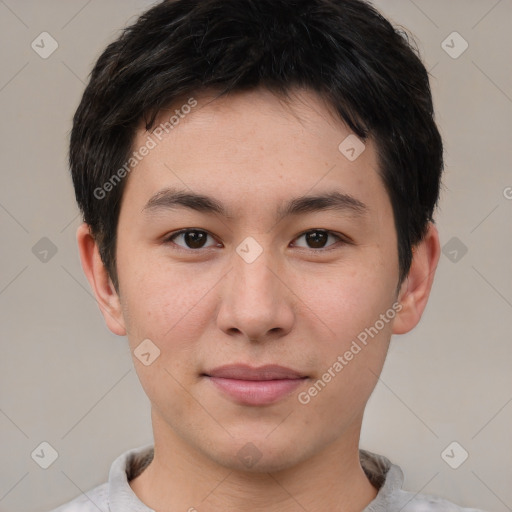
x=258, y=181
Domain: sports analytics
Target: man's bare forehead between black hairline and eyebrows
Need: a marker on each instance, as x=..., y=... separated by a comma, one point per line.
x=255, y=146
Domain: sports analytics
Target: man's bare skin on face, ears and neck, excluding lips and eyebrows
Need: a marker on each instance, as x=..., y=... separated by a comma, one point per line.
x=292, y=306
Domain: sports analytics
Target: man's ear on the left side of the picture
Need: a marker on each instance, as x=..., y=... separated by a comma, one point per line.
x=101, y=284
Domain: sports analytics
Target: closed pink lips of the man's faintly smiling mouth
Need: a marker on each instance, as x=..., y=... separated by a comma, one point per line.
x=263, y=385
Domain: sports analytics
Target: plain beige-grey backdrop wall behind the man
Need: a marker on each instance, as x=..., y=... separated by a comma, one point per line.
x=65, y=379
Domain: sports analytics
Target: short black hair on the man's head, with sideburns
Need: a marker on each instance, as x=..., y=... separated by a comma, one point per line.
x=344, y=50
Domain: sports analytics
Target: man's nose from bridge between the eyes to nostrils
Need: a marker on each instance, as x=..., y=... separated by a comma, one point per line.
x=257, y=303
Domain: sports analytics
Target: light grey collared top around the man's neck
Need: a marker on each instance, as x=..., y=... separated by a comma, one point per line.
x=116, y=495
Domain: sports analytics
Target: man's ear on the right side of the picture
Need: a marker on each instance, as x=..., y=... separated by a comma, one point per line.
x=415, y=289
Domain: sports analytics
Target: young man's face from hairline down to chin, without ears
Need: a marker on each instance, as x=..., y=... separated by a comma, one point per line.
x=258, y=275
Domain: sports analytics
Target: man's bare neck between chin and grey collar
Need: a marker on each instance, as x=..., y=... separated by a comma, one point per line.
x=181, y=478
